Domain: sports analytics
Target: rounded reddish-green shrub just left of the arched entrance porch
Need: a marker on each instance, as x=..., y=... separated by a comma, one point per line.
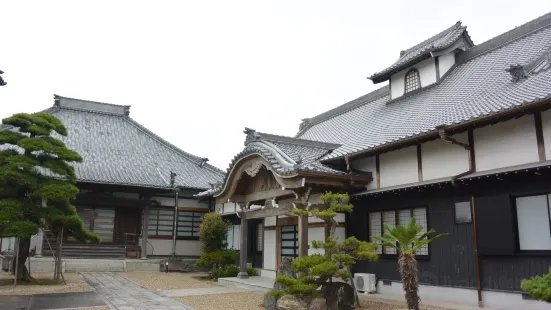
x=213, y=232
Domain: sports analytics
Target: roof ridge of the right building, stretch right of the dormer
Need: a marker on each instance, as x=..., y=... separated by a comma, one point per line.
x=503, y=39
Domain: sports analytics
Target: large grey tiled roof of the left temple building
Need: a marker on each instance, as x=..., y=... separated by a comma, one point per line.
x=118, y=150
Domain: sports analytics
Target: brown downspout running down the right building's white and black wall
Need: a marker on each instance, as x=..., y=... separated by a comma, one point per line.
x=472, y=168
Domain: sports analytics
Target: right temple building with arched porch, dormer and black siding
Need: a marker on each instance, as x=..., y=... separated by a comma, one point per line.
x=459, y=138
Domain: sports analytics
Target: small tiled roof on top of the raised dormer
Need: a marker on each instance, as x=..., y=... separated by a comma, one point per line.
x=423, y=50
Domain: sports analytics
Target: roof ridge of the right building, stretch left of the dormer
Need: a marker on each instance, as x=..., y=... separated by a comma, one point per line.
x=343, y=108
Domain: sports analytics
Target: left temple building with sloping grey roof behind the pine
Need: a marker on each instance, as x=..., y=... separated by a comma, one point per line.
x=129, y=180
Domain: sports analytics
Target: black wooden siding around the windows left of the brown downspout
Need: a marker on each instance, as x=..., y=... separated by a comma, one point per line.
x=451, y=260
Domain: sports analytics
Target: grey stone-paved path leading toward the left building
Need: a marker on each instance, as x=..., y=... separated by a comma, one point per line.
x=122, y=294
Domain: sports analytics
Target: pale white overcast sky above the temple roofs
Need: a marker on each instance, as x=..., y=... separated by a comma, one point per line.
x=198, y=72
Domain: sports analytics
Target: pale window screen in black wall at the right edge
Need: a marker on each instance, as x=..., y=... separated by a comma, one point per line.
x=534, y=223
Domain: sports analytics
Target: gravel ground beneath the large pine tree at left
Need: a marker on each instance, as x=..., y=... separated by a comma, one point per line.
x=75, y=283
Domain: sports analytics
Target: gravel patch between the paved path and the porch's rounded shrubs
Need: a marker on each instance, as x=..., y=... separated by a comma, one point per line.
x=167, y=281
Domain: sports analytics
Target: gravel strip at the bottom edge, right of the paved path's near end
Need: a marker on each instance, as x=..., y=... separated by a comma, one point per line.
x=237, y=301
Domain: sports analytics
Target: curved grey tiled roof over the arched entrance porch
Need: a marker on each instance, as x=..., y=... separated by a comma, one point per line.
x=286, y=155
